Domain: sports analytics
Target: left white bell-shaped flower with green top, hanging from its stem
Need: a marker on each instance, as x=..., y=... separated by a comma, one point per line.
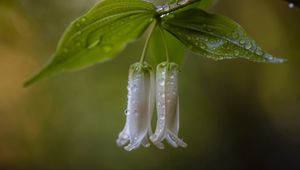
x=139, y=108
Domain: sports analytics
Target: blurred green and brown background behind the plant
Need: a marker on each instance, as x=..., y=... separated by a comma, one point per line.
x=234, y=114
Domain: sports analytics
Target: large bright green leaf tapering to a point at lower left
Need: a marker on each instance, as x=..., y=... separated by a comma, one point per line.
x=99, y=35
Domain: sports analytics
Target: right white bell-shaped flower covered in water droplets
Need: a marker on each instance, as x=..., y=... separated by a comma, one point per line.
x=167, y=104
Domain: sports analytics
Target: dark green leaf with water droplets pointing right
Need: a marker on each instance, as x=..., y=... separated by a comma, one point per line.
x=214, y=36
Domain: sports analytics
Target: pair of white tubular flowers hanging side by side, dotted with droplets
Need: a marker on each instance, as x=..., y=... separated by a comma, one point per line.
x=142, y=89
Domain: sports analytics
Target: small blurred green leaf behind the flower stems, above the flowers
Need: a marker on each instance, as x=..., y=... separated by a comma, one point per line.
x=157, y=48
